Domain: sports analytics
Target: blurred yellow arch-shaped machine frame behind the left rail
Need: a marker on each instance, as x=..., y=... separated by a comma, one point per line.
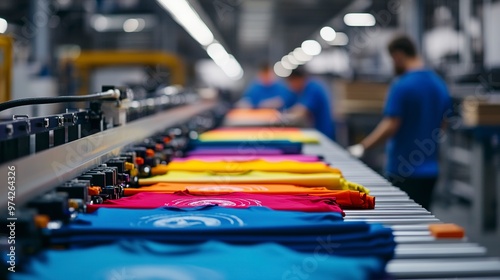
x=87, y=61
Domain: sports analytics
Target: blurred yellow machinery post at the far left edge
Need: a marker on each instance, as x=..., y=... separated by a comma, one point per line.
x=6, y=44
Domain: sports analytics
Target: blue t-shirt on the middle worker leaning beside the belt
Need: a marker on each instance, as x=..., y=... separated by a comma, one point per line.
x=317, y=101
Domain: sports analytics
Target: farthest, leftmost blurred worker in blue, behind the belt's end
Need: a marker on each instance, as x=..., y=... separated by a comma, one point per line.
x=266, y=92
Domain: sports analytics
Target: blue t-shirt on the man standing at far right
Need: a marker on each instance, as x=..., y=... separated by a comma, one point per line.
x=421, y=100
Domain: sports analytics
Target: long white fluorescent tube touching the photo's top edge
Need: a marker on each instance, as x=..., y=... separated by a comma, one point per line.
x=187, y=17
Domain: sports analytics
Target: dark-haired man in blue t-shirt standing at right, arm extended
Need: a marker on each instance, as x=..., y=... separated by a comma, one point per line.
x=417, y=104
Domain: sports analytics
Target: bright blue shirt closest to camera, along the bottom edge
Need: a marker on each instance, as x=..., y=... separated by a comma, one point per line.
x=207, y=261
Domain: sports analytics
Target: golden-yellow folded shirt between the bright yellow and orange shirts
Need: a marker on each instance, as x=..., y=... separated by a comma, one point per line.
x=333, y=181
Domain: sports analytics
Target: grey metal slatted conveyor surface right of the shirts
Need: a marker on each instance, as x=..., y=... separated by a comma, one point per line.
x=419, y=255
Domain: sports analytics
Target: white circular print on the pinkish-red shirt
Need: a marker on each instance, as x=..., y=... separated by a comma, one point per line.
x=224, y=202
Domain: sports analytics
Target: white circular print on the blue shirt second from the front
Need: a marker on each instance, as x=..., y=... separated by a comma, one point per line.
x=189, y=220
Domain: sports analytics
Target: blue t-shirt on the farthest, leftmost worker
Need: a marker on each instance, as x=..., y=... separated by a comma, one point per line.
x=258, y=92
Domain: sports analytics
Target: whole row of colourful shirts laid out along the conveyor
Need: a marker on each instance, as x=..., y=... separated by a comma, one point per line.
x=247, y=188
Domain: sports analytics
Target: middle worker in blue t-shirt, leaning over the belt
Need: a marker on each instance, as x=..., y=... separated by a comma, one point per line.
x=313, y=103
